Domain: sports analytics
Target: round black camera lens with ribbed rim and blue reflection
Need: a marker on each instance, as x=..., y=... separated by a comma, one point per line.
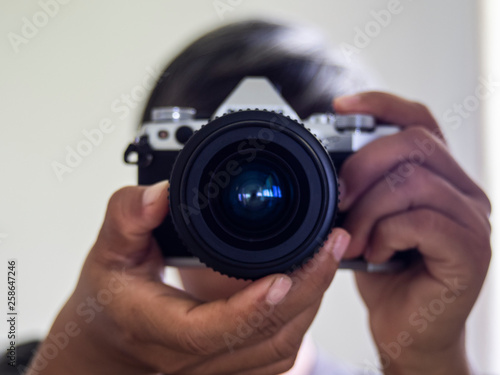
x=253, y=193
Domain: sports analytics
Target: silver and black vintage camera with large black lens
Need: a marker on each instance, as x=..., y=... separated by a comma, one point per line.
x=253, y=190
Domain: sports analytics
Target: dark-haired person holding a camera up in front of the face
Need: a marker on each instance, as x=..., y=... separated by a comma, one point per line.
x=122, y=319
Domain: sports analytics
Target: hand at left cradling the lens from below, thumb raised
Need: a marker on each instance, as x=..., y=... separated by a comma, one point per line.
x=122, y=319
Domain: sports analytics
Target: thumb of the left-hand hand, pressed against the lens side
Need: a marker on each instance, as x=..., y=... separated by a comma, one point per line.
x=132, y=213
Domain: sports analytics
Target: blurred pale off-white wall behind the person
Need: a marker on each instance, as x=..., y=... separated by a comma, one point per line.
x=69, y=73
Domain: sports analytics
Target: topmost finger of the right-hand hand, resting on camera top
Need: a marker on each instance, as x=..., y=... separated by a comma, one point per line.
x=388, y=108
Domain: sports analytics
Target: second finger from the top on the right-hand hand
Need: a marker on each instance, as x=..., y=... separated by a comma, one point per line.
x=405, y=150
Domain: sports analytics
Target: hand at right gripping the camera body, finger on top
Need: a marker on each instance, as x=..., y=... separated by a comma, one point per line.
x=406, y=191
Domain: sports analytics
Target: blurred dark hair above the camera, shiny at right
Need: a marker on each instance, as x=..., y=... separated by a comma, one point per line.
x=296, y=59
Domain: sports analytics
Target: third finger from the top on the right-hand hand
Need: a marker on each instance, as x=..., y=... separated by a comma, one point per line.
x=423, y=189
